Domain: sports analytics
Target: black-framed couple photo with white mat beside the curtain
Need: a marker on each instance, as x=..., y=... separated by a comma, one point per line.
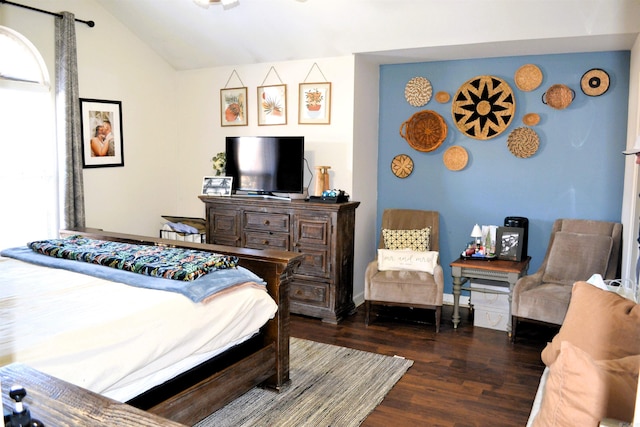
x=101, y=124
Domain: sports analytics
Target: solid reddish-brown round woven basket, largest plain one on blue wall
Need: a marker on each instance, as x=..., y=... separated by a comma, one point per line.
x=425, y=131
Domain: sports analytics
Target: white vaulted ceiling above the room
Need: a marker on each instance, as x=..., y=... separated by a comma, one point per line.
x=188, y=36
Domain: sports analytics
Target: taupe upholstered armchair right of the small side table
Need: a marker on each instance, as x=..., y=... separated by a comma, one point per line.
x=577, y=250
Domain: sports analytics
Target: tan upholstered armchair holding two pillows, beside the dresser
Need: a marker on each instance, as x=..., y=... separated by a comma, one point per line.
x=416, y=289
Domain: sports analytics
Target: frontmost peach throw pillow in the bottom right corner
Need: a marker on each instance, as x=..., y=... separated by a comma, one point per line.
x=581, y=391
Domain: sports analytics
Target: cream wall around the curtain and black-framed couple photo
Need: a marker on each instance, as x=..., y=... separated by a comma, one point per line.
x=114, y=65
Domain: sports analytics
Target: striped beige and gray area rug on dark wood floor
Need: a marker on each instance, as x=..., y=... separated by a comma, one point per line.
x=330, y=386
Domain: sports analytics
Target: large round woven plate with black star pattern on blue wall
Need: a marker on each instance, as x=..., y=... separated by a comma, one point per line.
x=483, y=107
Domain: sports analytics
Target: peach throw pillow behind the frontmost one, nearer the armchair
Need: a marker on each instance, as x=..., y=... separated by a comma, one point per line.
x=602, y=323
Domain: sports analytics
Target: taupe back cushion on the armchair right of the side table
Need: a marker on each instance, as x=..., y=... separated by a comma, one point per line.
x=589, y=254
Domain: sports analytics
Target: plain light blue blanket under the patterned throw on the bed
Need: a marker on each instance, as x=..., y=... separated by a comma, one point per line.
x=196, y=290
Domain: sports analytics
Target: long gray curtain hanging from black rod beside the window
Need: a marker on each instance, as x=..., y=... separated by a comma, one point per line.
x=68, y=122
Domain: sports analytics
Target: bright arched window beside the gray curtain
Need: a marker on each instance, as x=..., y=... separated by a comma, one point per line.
x=28, y=154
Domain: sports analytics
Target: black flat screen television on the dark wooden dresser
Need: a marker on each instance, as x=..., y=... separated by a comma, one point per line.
x=264, y=165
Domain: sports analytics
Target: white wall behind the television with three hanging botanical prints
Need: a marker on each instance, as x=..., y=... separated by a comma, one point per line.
x=200, y=135
